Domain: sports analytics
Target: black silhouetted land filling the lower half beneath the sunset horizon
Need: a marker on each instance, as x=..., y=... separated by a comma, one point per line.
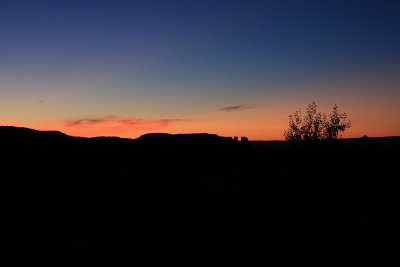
x=196, y=199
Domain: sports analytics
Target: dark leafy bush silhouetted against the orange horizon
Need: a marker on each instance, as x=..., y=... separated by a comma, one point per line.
x=315, y=125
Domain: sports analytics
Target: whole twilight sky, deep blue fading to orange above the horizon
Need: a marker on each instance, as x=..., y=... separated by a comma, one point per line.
x=233, y=68
